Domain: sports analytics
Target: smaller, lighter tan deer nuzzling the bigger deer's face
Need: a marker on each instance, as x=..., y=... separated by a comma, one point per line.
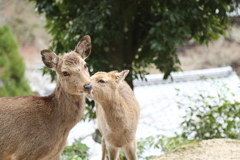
x=117, y=113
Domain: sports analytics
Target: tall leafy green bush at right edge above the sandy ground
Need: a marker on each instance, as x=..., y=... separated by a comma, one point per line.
x=211, y=115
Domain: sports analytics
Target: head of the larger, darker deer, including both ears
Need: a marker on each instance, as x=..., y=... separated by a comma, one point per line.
x=71, y=68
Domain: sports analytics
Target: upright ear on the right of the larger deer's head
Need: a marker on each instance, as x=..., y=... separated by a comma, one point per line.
x=84, y=47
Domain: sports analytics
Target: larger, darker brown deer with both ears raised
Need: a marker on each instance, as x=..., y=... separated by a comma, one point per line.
x=36, y=128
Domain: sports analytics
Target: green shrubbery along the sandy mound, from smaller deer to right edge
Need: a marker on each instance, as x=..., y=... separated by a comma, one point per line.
x=208, y=115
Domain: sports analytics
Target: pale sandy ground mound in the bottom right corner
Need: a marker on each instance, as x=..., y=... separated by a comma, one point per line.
x=215, y=149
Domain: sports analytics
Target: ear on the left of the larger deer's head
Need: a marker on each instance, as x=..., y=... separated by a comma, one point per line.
x=49, y=58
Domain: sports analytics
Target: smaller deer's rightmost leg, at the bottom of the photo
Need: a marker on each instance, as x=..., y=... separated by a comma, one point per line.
x=130, y=150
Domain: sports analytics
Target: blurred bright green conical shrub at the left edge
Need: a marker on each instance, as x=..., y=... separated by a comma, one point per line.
x=12, y=68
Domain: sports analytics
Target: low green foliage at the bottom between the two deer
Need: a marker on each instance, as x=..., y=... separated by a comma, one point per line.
x=76, y=151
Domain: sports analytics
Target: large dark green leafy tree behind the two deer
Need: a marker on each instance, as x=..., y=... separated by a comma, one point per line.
x=134, y=34
